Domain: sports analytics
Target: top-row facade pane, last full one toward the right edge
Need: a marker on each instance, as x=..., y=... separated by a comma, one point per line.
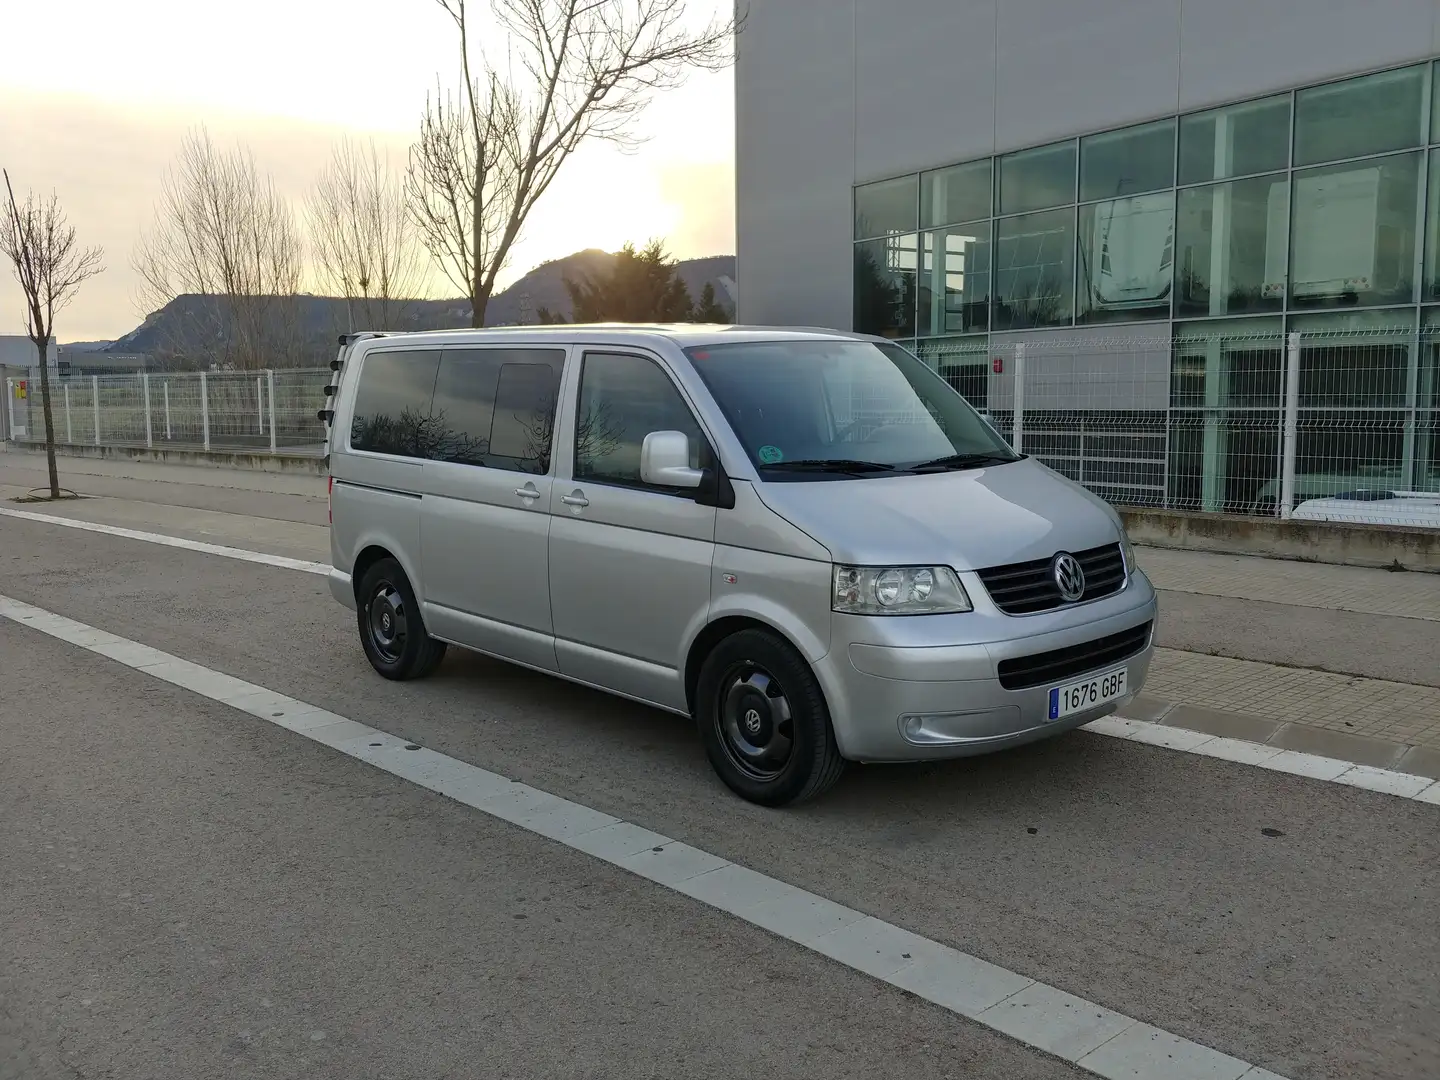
x=1357, y=117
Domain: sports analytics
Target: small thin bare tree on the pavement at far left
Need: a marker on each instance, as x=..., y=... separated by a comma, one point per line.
x=40, y=243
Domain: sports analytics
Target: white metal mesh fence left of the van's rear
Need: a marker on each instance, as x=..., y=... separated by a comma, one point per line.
x=184, y=411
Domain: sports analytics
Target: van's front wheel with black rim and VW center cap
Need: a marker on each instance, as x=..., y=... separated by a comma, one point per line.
x=764, y=722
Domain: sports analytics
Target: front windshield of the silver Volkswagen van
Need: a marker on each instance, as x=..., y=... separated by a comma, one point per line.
x=843, y=410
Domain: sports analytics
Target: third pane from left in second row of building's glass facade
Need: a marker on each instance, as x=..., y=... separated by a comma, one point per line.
x=1035, y=270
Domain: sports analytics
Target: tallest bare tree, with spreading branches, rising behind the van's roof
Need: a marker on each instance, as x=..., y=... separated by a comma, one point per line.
x=486, y=159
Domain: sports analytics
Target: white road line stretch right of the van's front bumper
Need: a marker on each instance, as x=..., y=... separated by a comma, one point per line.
x=1313, y=767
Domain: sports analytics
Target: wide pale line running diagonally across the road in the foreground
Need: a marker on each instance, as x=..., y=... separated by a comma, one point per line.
x=1099, y=1040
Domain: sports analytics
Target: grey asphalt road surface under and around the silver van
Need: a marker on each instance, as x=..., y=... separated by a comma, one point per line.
x=261, y=869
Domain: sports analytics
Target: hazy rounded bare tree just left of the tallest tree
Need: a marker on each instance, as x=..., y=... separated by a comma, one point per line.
x=364, y=240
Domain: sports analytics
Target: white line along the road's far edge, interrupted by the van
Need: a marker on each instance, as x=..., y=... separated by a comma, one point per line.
x=1330, y=770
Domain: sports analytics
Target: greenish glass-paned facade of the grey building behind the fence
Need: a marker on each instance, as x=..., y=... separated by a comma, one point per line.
x=1311, y=212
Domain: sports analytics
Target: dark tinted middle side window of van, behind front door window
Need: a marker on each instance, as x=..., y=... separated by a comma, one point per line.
x=496, y=408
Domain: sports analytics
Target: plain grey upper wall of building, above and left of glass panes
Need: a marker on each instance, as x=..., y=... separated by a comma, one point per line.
x=836, y=93
